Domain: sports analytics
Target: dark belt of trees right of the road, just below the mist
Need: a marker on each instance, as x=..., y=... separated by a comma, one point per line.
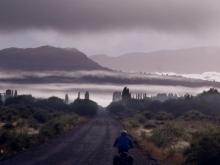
x=207, y=103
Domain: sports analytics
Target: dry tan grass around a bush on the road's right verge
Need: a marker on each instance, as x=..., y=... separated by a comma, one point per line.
x=171, y=154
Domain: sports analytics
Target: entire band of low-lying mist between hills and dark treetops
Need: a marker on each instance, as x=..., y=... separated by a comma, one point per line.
x=100, y=84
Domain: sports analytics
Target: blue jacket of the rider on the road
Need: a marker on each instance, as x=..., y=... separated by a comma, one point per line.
x=123, y=143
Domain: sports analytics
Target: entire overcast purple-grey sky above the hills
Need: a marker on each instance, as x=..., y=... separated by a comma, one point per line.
x=111, y=27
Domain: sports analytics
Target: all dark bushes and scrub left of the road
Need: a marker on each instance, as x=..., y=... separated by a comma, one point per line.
x=26, y=121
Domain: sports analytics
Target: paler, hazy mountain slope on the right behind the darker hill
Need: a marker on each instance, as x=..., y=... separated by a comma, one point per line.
x=193, y=60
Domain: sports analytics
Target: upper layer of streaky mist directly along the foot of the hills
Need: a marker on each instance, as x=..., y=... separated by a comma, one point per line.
x=110, y=77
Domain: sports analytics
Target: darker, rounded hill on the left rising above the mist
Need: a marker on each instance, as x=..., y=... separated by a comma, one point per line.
x=46, y=58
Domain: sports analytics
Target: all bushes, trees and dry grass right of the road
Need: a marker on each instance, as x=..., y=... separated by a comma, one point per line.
x=181, y=131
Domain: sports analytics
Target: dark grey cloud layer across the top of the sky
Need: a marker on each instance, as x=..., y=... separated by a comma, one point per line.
x=94, y=15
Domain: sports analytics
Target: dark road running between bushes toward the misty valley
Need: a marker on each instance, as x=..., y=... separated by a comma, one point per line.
x=90, y=144
